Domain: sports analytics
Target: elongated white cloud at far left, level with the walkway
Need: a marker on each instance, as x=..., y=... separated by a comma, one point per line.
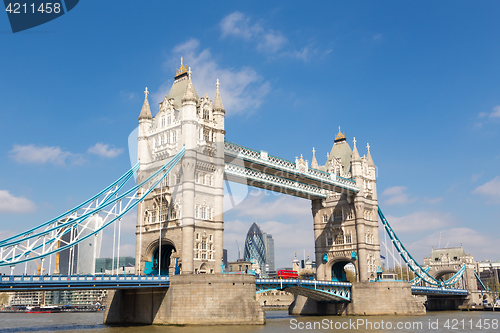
x=31, y=154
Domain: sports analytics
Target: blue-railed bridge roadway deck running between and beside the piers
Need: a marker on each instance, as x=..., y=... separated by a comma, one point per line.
x=317, y=290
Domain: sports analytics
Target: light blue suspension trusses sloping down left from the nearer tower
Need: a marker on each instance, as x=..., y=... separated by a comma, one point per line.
x=83, y=221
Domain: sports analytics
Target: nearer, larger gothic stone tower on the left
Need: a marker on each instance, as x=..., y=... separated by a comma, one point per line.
x=187, y=208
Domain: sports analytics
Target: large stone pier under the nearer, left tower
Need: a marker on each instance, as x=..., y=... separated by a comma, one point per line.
x=198, y=299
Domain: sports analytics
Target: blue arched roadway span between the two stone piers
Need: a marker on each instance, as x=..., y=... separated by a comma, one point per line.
x=317, y=290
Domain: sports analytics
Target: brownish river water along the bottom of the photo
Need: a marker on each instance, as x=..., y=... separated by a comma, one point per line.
x=277, y=321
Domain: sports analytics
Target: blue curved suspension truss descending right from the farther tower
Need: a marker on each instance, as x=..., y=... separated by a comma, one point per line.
x=412, y=263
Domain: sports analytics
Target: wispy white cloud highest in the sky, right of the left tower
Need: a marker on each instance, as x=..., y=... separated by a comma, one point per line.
x=268, y=41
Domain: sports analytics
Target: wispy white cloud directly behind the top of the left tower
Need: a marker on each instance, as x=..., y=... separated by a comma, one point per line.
x=241, y=89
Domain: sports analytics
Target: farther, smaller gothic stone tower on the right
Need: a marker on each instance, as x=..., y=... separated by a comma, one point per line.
x=345, y=225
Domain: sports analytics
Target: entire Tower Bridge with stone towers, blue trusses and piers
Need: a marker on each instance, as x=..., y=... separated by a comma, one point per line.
x=183, y=161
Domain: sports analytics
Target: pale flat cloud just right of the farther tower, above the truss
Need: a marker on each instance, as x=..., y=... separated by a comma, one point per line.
x=420, y=221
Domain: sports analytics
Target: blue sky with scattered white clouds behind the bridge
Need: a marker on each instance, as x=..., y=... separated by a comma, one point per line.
x=417, y=80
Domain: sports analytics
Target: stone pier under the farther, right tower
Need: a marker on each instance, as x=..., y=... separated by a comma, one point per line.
x=368, y=299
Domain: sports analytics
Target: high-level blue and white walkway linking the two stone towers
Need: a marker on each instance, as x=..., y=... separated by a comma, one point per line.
x=259, y=169
